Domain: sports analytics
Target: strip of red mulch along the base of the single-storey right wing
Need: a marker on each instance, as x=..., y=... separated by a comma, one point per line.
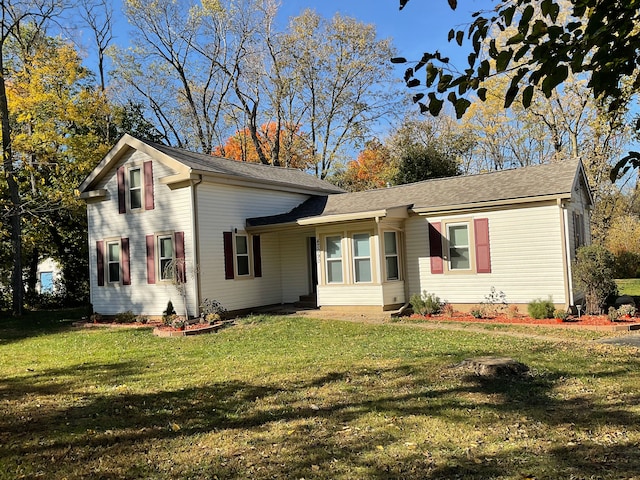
x=585, y=320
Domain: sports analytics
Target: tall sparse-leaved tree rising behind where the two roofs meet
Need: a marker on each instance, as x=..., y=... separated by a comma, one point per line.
x=343, y=81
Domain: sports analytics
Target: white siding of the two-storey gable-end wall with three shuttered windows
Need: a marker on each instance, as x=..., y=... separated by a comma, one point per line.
x=173, y=212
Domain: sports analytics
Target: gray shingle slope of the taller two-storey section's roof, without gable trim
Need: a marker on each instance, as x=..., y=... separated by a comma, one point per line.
x=250, y=171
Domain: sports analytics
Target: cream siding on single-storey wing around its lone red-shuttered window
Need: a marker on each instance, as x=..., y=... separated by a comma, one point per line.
x=526, y=257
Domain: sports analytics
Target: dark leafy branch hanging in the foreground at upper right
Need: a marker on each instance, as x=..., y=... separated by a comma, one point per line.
x=546, y=41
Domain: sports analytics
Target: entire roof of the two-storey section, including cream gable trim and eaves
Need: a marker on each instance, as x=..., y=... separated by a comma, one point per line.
x=187, y=163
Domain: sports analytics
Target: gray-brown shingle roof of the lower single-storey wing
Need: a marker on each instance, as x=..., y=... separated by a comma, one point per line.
x=549, y=180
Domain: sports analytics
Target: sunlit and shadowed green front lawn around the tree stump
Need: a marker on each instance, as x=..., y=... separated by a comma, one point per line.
x=287, y=397
